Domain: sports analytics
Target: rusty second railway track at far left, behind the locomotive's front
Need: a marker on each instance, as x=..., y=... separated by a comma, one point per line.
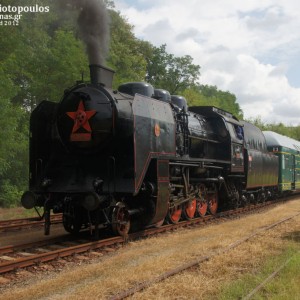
x=17, y=224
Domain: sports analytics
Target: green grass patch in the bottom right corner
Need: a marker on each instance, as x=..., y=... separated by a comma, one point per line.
x=285, y=285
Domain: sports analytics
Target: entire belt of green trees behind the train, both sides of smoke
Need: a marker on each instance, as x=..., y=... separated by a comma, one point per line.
x=44, y=55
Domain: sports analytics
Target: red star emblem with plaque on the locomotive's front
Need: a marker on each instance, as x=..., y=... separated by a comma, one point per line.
x=81, y=120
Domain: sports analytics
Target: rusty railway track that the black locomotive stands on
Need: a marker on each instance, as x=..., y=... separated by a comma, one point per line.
x=25, y=255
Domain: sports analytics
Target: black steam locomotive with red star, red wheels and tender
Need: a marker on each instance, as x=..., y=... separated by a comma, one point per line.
x=135, y=157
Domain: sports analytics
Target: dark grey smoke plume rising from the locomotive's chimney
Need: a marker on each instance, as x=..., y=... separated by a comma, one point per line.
x=93, y=22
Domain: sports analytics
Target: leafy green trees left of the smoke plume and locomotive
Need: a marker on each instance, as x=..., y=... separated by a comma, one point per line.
x=38, y=60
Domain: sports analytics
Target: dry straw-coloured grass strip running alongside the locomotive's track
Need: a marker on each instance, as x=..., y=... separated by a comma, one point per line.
x=147, y=259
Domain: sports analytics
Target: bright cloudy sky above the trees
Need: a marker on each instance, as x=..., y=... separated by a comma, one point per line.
x=250, y=48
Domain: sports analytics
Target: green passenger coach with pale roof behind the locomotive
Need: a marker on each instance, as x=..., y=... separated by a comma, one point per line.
x=288, y=152
